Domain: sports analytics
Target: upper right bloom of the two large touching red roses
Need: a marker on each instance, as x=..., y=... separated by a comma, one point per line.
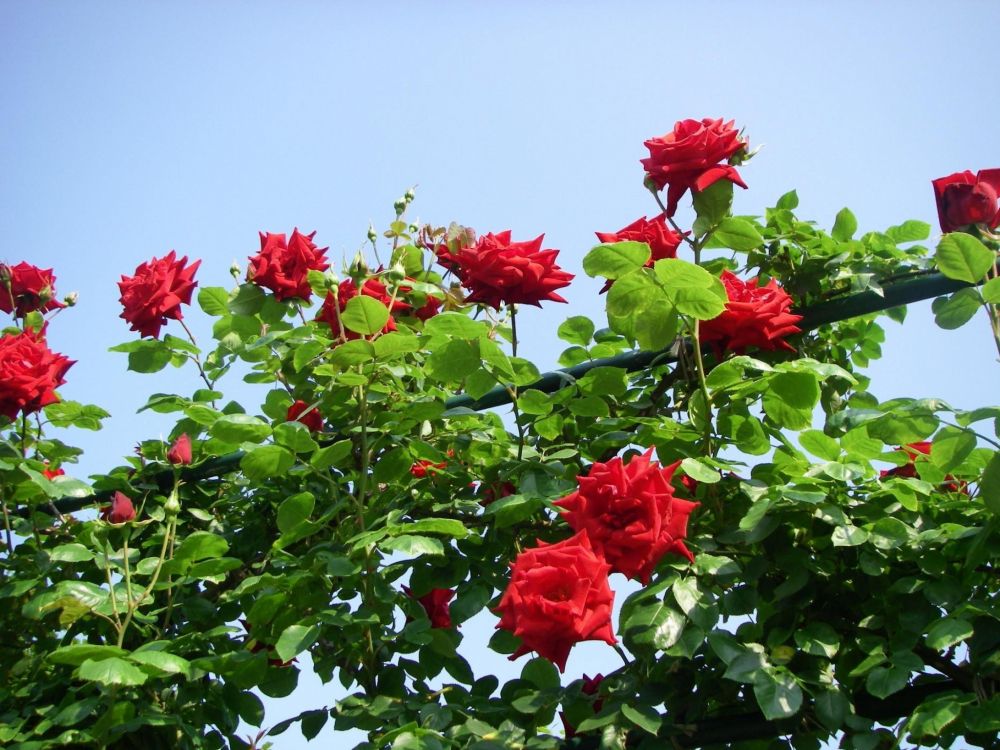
x=630, y=514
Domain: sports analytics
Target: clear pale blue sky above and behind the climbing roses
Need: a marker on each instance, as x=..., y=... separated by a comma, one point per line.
x=130, y=129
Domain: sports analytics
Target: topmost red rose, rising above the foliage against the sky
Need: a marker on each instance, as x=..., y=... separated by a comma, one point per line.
x=690, y=157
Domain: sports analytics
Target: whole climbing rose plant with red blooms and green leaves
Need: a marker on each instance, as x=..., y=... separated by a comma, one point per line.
x=806, y=561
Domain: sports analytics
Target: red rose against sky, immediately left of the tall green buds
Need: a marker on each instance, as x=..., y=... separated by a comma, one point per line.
x=283, y=267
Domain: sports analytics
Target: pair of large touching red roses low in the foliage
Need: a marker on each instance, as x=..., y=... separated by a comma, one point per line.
x=626, y=520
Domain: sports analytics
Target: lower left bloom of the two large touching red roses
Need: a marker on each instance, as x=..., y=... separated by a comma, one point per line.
x=558, y=596
